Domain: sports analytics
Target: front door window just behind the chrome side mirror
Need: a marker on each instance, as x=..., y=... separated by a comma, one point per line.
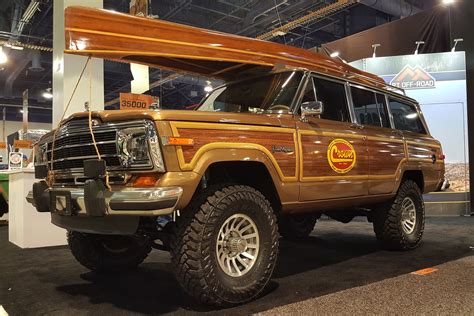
x=333, y=96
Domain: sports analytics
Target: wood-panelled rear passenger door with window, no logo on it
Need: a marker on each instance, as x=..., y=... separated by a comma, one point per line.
x=385, y=145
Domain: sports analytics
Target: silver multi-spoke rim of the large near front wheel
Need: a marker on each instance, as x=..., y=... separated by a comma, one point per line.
x=237, y=246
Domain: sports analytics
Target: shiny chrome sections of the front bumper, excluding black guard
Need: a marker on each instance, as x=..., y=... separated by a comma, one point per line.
x=128, y=201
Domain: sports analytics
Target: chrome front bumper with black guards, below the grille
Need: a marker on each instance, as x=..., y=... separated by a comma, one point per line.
x=128, y=201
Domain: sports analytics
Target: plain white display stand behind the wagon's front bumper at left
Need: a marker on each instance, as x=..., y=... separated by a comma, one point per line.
x=27, y=227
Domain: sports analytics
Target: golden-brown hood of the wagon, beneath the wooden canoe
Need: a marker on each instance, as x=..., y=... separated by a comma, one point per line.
x=277, y=120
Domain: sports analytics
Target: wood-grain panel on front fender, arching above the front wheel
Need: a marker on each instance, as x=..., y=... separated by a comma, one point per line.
x=287, y=162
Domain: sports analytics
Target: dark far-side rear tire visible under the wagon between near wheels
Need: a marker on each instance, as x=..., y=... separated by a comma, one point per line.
x=296, y=226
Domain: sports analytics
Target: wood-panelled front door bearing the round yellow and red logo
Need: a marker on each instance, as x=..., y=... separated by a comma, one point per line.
x=333, y=150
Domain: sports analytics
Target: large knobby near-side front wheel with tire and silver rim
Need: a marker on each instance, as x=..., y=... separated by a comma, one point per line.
x=226, y=245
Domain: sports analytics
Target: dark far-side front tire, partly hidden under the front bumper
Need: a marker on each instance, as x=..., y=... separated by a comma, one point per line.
x=88, y=252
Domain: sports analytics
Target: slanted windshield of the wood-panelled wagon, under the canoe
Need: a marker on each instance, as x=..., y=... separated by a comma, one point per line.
x=265, y=94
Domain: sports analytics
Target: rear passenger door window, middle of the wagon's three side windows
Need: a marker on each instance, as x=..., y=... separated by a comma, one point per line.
x=365, y=107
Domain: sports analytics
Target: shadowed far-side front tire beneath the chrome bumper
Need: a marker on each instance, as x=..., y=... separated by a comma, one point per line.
x=89, y=250
